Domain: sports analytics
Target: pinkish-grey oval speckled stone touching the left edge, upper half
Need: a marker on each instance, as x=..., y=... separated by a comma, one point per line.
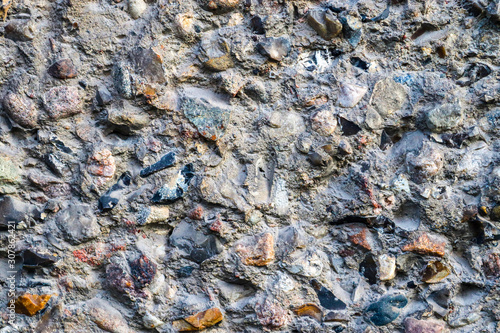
x=21, y=109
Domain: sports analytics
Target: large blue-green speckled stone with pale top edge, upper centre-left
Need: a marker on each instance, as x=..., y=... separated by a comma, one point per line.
x=207, y=111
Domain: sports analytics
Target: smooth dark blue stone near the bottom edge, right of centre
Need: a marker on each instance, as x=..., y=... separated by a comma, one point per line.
x=386, y=309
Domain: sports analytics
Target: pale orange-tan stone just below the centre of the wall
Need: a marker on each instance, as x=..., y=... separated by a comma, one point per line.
x=260, y=254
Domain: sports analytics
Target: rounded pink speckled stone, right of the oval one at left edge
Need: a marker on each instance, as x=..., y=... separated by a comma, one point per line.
x=62, y=101
